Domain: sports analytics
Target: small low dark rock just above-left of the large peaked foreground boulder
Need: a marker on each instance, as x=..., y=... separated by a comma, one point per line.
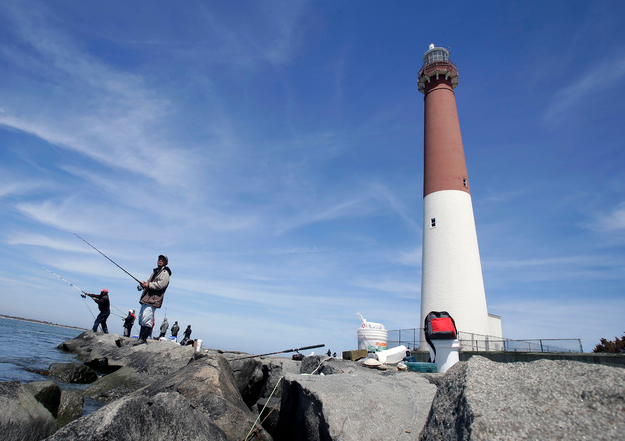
x=118, y=384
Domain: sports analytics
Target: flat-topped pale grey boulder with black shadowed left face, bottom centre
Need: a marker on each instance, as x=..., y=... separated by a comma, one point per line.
x=357, y=406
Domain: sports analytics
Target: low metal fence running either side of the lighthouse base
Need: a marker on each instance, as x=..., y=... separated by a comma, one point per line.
x=476, y=342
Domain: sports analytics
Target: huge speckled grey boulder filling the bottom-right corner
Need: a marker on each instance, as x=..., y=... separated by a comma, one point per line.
x=484, y=400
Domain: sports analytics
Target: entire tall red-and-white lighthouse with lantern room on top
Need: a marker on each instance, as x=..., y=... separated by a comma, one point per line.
x=451, y=267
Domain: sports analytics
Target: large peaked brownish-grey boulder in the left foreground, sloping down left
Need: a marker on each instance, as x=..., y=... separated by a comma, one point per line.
x=198, y=402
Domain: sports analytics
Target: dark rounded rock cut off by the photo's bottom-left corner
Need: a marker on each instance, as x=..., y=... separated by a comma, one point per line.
x=22, y=417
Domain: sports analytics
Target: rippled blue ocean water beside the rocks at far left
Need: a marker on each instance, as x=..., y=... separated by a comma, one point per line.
x=28, y=345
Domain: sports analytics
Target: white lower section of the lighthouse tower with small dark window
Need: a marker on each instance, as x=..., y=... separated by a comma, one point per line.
x=452, y=271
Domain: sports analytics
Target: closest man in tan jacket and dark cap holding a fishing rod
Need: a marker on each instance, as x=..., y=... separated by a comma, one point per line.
x=152, y=297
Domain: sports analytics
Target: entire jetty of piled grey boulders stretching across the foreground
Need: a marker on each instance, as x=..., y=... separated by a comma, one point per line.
x=163, y=391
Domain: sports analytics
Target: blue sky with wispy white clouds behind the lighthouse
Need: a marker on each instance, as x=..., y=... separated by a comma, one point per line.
x=273, y=150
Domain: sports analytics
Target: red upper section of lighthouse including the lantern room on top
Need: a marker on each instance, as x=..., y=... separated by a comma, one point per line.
x=444, y=164
